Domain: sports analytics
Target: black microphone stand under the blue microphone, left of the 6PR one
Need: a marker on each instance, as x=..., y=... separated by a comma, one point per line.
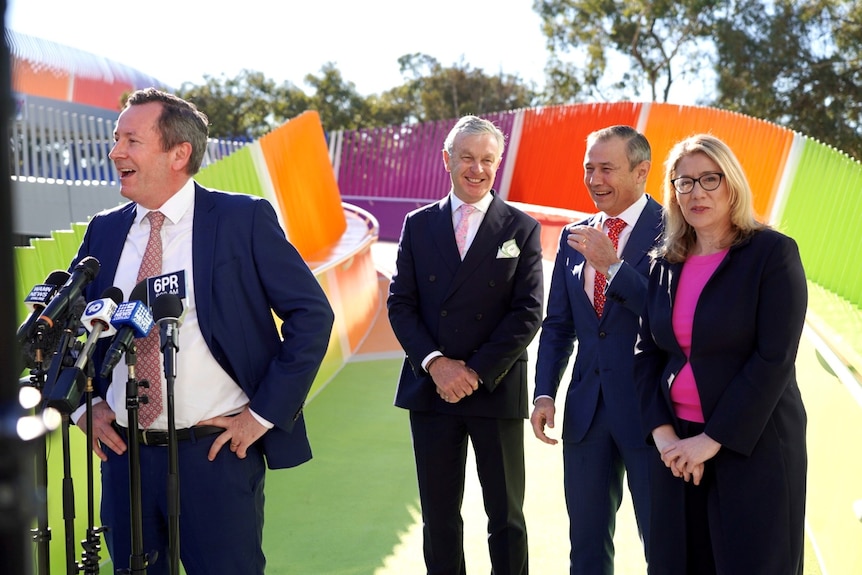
x=138, y=560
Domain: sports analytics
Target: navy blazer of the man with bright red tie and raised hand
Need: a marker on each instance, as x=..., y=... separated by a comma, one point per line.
x=605, y=346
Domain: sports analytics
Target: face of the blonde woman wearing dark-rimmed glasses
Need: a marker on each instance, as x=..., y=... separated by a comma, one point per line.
x=709, y=213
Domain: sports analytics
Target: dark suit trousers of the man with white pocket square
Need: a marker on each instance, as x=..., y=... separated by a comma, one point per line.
x=440, y=448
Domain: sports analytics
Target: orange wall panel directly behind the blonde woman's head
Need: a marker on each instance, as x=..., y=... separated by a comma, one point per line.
x=761, y=147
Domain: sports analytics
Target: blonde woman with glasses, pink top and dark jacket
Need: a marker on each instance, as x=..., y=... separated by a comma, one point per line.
x=715, y=374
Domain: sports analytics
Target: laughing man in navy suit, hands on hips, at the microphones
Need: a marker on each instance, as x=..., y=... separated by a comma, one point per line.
x=239, y=386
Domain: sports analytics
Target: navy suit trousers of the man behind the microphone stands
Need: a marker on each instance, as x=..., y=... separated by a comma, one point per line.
x=221, y=509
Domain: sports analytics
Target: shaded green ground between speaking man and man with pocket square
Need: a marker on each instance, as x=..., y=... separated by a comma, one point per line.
x=345, y=510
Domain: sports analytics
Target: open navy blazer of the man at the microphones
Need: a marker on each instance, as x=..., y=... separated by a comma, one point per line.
x=244, y=271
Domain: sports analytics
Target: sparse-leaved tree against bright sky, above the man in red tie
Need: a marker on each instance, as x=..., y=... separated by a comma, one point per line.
x=616, y=49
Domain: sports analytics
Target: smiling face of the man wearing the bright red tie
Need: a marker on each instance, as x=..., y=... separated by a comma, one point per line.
x=612, y=184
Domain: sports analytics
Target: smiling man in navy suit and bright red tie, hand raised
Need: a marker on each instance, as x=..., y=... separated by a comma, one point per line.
x=596, y=296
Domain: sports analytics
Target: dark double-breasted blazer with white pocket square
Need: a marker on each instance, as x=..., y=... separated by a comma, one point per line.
x=484, y=310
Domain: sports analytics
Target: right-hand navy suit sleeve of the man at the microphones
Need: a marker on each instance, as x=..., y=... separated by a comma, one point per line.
x=296, y=298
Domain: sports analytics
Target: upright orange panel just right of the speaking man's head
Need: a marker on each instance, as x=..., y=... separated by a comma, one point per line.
x=298, y=162
